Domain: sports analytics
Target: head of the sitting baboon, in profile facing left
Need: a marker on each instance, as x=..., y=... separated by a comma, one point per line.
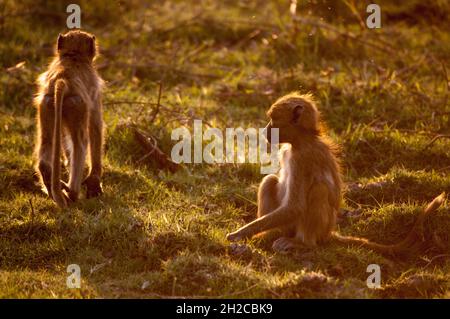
x=295, y=115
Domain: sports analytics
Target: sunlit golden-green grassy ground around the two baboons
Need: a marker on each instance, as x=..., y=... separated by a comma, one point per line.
x=384, y=94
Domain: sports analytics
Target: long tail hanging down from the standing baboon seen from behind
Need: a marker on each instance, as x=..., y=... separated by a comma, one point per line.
x=58, y=196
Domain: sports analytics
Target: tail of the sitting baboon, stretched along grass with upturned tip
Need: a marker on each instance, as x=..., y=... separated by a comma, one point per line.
x=411, y=243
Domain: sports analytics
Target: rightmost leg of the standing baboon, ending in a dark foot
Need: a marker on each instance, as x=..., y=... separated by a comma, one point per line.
x=93, y=182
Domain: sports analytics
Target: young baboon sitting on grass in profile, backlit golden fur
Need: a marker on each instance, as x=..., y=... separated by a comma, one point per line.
x=303, y=199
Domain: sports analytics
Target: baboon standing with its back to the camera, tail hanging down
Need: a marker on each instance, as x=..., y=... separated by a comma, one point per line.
x=70, y=112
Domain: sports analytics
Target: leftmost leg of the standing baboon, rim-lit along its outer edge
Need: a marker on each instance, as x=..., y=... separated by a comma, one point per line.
x=44, y=143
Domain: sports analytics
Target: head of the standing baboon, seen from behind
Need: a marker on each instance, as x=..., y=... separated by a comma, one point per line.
x=76, y=44
